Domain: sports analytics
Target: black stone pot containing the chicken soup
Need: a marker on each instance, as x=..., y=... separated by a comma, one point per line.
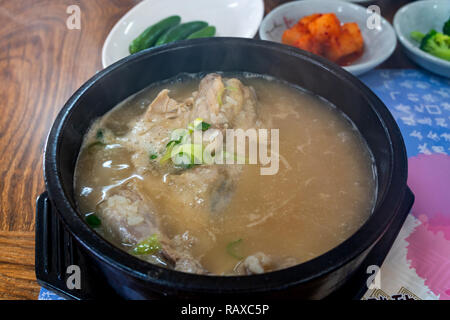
x=130, y=277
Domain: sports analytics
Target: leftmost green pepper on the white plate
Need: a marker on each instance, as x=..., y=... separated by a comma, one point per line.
x=150, y=35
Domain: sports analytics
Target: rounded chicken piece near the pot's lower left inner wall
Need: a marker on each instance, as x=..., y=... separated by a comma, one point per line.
x=127, y=216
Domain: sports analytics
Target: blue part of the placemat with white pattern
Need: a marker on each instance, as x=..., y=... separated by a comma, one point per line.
x=419, y=102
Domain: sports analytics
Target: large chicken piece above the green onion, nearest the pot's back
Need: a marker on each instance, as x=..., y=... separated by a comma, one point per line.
x=214, y=103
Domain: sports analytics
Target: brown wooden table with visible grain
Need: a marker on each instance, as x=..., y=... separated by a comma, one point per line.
x=42, y=63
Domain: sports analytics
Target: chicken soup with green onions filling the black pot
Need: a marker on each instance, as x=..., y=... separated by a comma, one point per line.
x=142, y=181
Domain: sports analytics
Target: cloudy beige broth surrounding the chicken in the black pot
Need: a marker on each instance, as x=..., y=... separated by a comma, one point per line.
x=322, y=193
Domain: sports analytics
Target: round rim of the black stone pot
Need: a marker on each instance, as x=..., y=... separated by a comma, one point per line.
x=331, y=260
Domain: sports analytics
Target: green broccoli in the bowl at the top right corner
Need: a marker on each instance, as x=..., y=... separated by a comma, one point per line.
x=435, y=43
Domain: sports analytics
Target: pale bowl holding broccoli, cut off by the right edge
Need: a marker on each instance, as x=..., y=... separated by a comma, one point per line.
x=422, y=16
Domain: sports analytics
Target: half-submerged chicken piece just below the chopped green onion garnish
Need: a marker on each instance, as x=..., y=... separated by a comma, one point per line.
x=192, y=196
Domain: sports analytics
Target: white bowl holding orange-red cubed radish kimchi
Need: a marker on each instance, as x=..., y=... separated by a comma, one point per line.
x=379, y=43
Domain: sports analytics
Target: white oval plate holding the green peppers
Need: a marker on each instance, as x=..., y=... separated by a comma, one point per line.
x=232, y=18
